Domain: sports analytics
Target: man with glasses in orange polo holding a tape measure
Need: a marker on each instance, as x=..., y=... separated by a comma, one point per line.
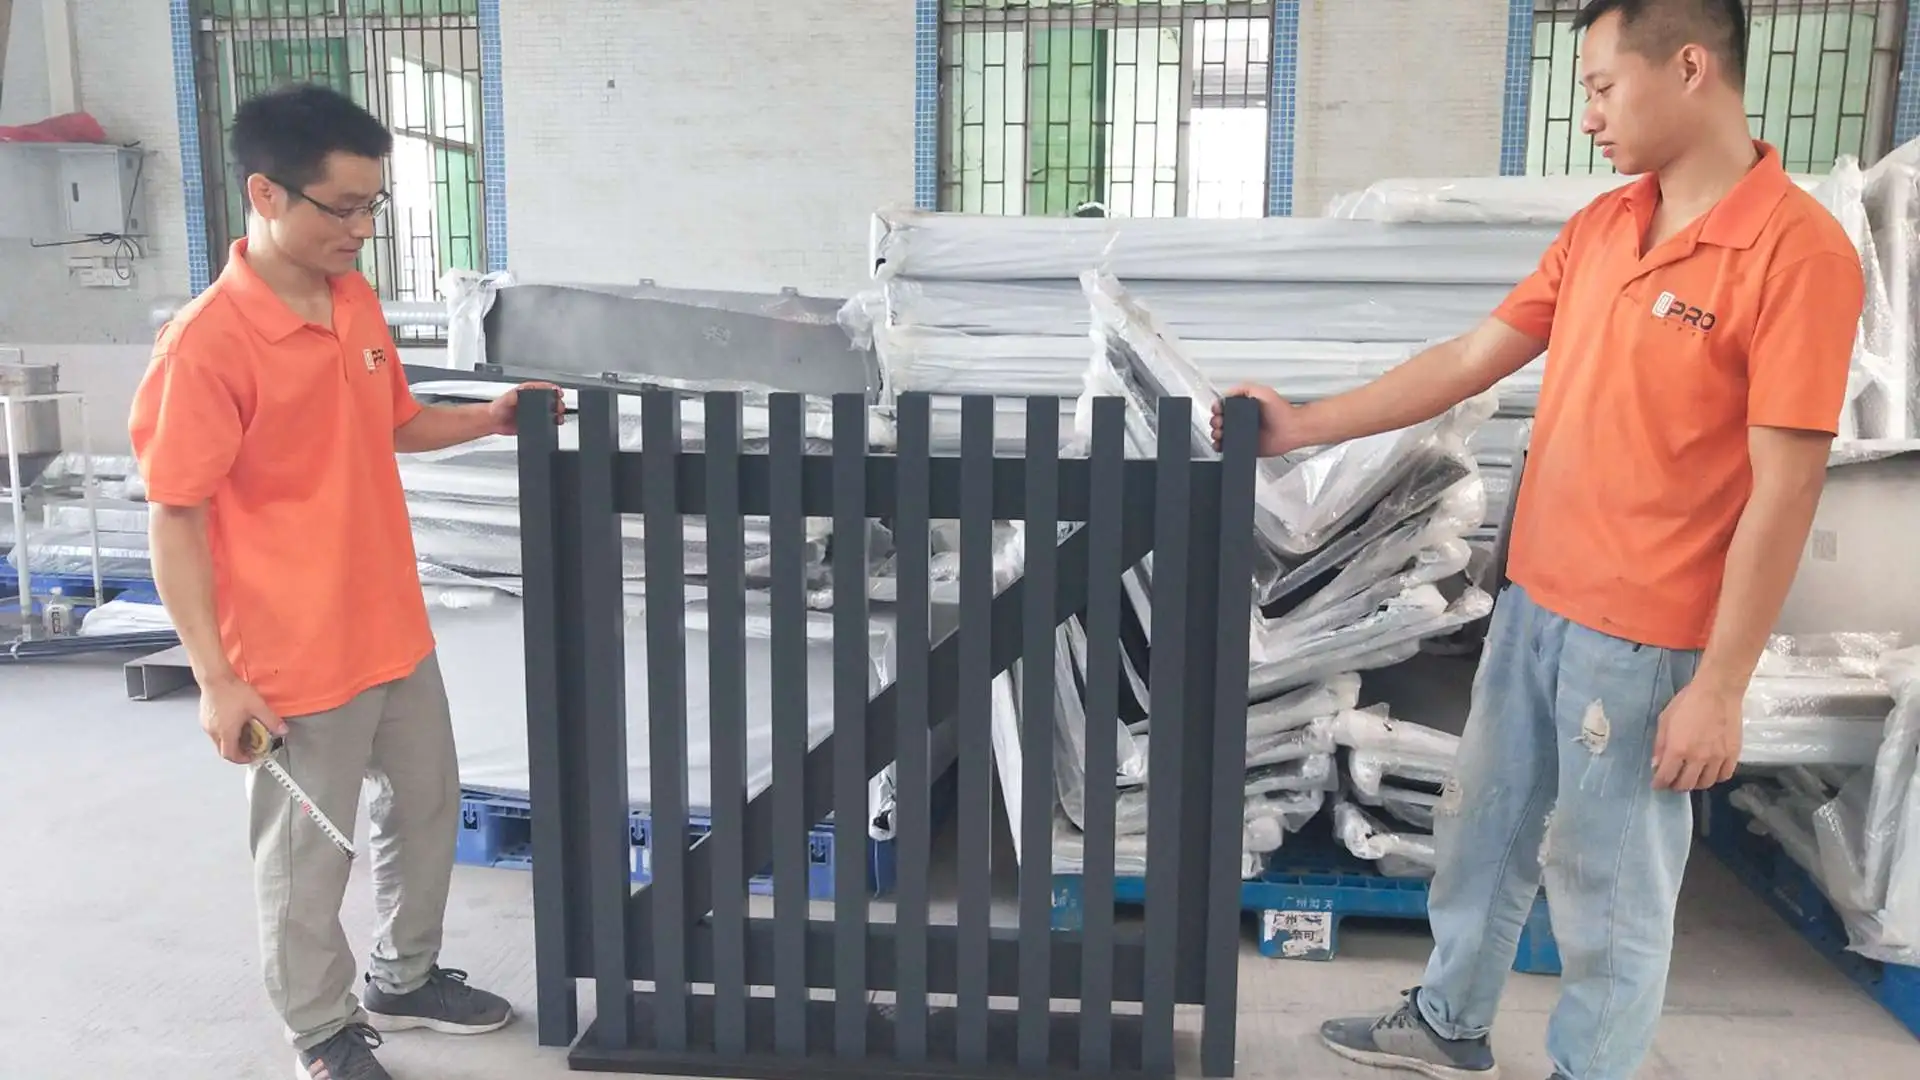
x=266, y=433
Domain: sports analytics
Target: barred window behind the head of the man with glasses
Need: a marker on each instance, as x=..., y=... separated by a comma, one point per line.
x=416, y=64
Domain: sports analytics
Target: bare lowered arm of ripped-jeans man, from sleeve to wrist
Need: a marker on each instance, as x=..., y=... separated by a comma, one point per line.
x=1788, y=474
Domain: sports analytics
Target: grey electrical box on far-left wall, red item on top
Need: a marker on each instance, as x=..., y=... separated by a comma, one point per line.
x=70, y=191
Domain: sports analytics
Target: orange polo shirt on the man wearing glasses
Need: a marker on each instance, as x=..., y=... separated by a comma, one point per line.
x=285, y=430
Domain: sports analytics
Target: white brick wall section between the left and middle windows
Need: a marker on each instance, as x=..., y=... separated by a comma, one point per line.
x=708, y=145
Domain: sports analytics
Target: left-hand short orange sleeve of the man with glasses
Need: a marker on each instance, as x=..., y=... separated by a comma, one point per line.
x=185, y=430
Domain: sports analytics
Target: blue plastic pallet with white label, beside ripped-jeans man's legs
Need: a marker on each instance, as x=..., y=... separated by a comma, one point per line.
x=1305, y=896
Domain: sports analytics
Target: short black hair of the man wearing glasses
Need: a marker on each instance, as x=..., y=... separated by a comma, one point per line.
x=289, y=132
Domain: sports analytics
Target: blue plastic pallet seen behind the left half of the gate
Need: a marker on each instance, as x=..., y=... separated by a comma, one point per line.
x=498, y=831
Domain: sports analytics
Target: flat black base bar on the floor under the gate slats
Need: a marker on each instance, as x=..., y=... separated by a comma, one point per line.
x=878, y=1060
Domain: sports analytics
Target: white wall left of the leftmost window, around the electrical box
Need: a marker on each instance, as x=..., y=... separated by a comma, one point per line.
x=126, y=74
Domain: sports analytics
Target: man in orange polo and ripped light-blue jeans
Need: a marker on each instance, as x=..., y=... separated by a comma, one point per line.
x=1698, y=328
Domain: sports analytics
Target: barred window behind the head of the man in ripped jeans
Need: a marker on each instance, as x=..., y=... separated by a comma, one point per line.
x=1821, y=84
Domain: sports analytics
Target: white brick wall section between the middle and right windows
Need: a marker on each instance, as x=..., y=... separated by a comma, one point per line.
x=1397, y=89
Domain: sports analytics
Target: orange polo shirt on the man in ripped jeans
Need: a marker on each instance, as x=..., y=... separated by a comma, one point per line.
x=1658, y=364
